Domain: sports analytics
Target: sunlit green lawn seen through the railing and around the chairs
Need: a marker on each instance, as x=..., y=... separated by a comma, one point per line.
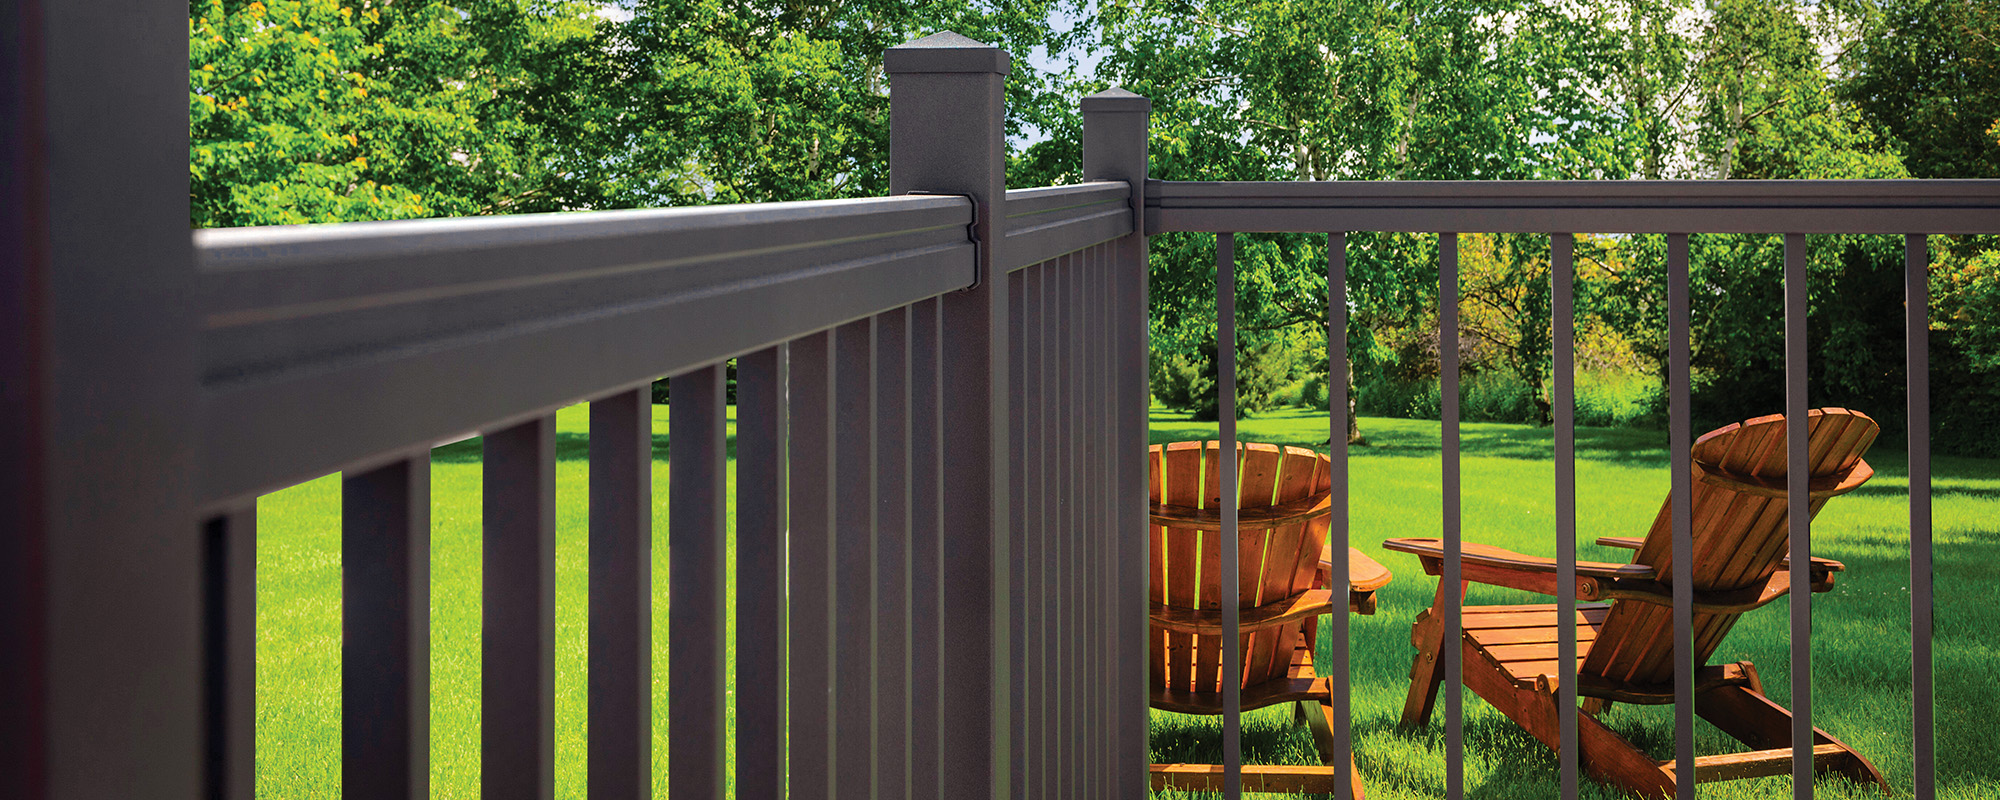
x=1861, y=643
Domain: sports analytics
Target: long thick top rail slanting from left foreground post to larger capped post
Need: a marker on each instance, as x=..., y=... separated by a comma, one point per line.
x=329, y=347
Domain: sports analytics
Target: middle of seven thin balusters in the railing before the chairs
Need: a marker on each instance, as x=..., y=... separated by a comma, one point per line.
x=1563, y=317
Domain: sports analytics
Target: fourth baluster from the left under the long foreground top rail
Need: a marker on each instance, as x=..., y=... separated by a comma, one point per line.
x=621, y=597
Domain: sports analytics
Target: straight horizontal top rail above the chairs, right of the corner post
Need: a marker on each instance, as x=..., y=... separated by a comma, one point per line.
x=1607, y=207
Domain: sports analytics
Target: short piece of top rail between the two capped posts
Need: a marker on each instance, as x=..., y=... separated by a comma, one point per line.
x=1045, y=223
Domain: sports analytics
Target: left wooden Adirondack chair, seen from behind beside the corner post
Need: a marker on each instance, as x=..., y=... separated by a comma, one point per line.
x=1283, y=561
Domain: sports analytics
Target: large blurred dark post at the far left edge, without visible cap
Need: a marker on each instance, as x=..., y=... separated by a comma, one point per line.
x=101, y=541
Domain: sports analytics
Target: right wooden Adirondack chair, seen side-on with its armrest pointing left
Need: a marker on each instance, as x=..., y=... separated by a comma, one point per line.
x=1625, y=647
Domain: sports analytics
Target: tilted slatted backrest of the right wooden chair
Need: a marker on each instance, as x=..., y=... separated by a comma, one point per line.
x=1739, y=533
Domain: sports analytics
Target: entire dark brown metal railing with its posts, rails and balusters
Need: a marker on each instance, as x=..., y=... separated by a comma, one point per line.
x=941, y=443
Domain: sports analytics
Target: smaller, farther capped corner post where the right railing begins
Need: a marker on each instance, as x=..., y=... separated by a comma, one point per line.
x=1115, y=149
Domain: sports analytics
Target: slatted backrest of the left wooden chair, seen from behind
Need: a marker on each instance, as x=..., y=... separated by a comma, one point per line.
x=1285, y=499
